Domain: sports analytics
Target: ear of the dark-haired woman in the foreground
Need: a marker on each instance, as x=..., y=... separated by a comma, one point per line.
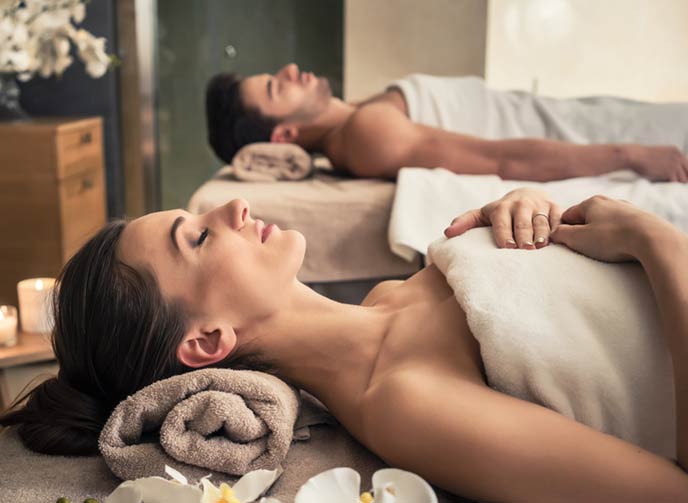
x=203, y=346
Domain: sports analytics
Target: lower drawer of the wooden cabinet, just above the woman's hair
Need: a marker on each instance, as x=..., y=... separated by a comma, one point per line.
x=82, y=205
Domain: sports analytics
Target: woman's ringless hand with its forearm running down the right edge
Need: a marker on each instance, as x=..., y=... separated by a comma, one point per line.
x=615, y=230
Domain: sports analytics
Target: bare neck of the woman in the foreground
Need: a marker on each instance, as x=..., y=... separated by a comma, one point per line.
x=325, y=347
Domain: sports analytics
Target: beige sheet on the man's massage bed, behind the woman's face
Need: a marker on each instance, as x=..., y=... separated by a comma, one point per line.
x=344, y=221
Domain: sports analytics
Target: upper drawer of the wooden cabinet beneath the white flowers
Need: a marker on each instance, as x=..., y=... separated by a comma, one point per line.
x=79, y=149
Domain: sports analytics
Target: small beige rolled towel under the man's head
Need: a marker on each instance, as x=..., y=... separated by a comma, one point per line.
x=270, y=162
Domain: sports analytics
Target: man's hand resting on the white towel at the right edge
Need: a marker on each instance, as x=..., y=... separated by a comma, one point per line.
x=658, y=163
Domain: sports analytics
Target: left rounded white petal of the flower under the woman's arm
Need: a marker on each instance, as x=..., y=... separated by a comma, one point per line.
x=339, y=485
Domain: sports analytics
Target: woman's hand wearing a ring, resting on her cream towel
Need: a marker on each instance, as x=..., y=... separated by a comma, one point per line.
x=523, y=218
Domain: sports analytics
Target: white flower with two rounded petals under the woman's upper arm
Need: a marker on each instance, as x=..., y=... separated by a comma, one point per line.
x=343, y=485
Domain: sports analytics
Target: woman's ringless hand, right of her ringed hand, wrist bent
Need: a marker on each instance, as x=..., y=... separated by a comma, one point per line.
x=610, y=230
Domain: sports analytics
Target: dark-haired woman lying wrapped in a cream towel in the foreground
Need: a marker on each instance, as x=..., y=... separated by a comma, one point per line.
x=524, y=374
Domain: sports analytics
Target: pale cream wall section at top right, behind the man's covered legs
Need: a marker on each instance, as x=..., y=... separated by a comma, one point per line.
x=632, y=48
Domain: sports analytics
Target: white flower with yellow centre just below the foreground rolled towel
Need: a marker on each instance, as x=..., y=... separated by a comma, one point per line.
x=159, y=490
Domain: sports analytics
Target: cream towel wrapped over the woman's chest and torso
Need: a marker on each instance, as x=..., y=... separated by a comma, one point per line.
x=574, y=334
